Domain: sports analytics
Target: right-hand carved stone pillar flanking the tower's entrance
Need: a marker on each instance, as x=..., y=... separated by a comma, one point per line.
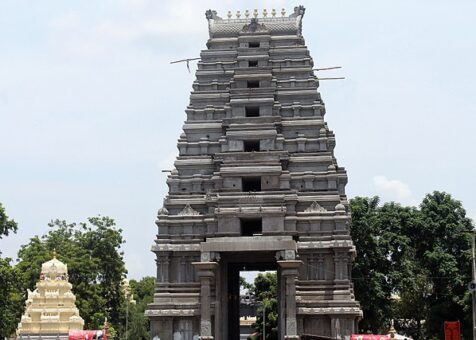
x=289, y=274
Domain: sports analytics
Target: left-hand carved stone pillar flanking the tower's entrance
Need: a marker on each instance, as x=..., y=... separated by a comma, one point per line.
x=206, y=273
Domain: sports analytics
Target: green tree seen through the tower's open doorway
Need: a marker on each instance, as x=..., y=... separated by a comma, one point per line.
x=265, y=289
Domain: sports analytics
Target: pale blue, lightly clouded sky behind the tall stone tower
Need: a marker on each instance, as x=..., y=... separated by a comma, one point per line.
x=90, y=108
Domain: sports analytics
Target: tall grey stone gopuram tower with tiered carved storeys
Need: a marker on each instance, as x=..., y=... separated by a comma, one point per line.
x=256, y=186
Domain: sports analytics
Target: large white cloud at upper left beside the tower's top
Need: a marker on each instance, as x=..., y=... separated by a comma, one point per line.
x=134, y=25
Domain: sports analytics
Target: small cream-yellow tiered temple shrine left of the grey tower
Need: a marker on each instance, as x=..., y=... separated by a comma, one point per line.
x=50, y=308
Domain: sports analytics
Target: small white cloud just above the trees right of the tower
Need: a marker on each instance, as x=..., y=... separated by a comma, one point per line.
x=394, y=190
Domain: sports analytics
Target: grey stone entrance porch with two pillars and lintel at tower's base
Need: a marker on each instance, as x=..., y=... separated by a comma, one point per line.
x=219, y=268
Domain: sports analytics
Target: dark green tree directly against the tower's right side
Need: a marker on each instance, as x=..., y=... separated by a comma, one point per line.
x=384, y=257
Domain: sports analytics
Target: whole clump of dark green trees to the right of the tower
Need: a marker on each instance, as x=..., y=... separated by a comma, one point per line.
x=412, y=264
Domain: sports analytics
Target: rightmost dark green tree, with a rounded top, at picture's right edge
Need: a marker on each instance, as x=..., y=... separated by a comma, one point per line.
x=443, y=248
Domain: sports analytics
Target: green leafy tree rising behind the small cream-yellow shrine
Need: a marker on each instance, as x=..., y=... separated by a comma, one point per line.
x=92, y=251
